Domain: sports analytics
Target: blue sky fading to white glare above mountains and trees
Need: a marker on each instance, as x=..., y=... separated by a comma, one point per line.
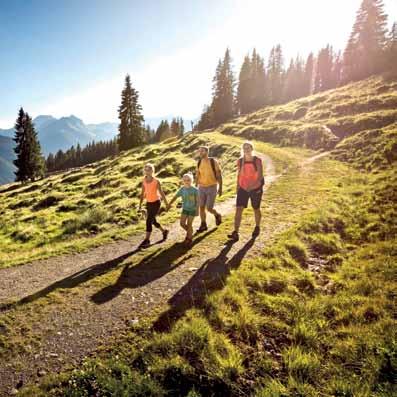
x=65, y=57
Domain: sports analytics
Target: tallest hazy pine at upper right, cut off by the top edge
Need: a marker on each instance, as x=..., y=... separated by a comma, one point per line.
x=364, y=52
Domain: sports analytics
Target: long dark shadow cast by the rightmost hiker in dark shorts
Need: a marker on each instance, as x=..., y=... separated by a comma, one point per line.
x=210, y=277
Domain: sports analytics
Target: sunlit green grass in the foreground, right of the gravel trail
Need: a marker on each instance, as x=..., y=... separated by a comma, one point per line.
x=275, y=328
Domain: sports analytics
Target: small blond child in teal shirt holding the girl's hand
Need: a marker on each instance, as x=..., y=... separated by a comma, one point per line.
x=189, y=195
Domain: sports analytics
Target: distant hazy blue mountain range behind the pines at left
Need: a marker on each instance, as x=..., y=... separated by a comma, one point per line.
x=60, y=134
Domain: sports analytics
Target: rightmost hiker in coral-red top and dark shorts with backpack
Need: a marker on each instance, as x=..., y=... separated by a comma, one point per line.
x=250, y=182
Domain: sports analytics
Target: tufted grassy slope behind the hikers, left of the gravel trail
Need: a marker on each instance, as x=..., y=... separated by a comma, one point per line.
x=91, y=205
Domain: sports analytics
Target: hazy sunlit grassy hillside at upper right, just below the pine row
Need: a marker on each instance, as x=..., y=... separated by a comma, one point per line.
x=322, y=121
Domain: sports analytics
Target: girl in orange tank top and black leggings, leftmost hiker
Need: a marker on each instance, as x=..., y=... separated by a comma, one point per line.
x=153, y=193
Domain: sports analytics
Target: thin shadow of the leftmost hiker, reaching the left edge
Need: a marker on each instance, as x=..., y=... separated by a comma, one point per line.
x=72, y=281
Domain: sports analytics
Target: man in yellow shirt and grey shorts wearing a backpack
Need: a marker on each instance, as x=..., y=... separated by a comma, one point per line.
x=209, y=182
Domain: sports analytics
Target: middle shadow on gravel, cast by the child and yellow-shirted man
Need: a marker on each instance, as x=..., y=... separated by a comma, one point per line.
x=151, y=268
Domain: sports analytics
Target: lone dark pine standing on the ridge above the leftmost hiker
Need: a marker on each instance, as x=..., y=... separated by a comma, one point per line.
x=131, y=131
